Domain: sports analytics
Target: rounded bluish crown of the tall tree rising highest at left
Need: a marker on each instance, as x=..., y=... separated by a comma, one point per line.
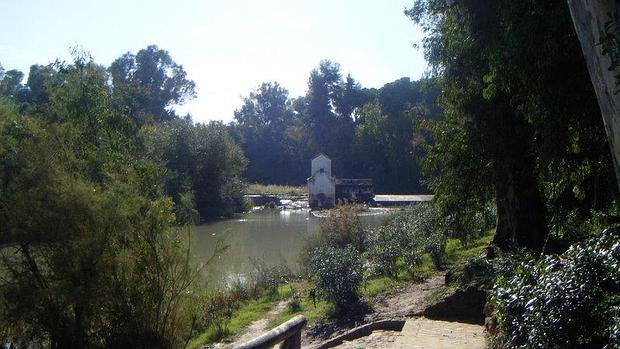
x=149, y=83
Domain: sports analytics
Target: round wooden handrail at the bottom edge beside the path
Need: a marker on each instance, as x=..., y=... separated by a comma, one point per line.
x=289, y=333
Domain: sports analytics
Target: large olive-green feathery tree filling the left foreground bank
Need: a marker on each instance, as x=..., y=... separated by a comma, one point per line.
x=88, y=257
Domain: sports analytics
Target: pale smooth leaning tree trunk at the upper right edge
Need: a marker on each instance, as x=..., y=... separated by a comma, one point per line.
x=589, y=17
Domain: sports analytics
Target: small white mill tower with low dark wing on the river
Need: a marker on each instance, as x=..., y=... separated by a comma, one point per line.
x=325, y=190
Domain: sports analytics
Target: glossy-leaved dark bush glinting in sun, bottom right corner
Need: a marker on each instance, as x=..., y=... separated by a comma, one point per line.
x=571, y=300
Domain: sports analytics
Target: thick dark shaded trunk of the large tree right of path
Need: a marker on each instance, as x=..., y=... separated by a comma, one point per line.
x=521, y=213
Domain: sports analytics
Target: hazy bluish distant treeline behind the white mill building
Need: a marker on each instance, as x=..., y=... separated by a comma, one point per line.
x=367, y=132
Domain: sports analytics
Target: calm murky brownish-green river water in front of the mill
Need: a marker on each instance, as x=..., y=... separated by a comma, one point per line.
x=274, y=236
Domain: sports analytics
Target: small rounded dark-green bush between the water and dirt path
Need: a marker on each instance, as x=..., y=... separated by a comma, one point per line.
x=338, y=275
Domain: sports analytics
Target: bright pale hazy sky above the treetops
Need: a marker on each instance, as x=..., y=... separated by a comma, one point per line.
x=228, y=47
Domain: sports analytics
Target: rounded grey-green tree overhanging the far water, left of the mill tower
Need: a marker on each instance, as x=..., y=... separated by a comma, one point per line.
x=204, y=166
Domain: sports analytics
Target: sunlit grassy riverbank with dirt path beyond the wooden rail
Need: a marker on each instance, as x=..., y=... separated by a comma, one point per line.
x=388, y=298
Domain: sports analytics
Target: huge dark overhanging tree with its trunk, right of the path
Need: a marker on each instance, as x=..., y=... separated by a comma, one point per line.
x=507, y=99
